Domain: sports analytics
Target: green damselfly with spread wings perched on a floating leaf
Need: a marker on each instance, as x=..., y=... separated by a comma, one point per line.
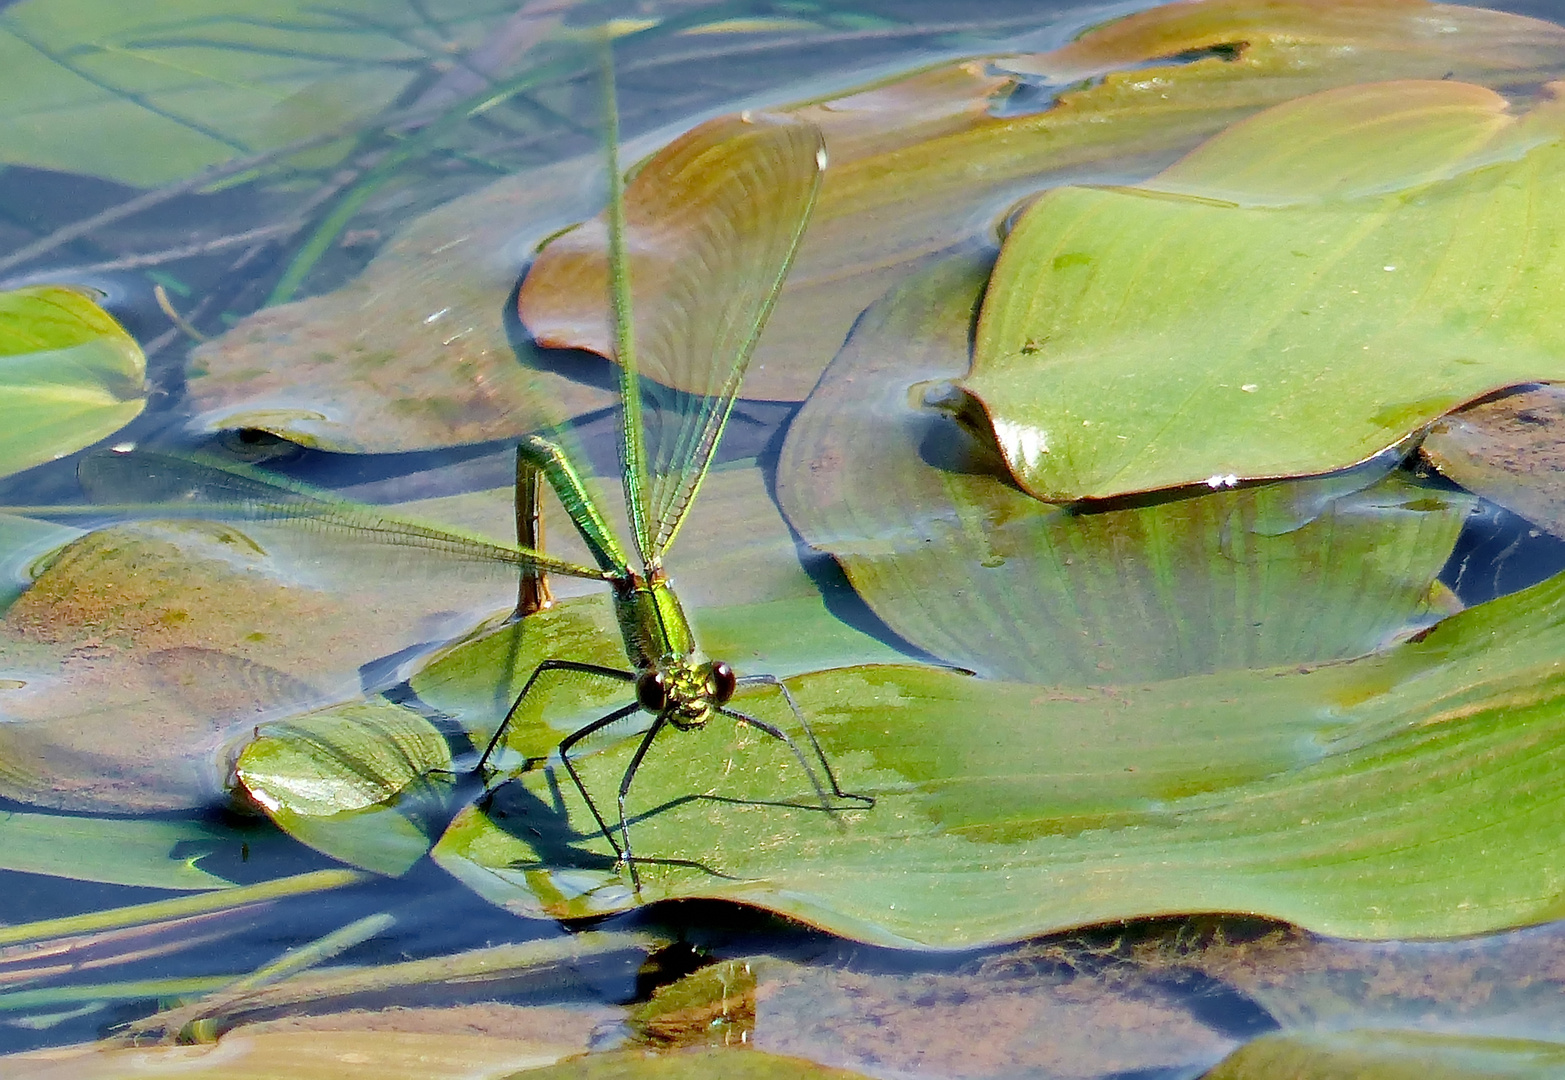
x=744, y=189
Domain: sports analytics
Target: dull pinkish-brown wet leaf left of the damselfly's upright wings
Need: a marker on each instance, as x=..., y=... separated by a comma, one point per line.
x=414, y=353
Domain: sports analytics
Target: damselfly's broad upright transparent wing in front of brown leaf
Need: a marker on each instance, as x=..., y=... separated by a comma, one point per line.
x=713, y=225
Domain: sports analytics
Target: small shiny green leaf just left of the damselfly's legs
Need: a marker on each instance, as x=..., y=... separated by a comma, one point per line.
x=356, y=782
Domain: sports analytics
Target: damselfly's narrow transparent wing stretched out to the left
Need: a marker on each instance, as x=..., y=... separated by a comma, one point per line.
x=171, y=486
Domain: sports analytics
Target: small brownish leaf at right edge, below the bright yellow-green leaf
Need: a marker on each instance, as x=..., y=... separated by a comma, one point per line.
x=1511, y=452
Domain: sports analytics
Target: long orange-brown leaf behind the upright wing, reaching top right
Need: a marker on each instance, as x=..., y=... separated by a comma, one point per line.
x=930, y=160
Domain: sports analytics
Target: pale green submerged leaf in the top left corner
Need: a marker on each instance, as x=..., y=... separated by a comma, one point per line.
x=146, y=96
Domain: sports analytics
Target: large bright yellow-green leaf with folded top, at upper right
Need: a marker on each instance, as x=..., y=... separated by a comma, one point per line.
x=1272, y=309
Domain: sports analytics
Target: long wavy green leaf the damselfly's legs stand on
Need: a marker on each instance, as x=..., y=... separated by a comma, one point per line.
x=1411, y=794
